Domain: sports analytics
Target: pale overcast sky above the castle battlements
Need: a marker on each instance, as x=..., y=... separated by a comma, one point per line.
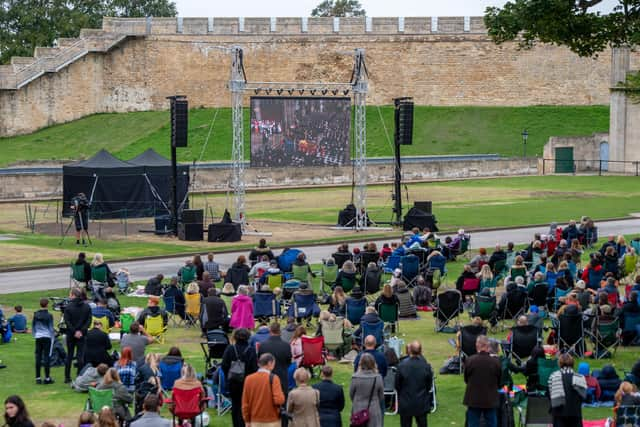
x=295, y=8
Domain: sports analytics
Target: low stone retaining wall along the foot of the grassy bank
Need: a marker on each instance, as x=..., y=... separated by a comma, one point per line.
x=49, y=184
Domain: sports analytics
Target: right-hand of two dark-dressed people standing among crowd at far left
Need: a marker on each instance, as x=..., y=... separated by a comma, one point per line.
x=77, y=318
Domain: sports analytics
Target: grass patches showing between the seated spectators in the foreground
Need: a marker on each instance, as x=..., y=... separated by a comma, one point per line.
x=59, y=404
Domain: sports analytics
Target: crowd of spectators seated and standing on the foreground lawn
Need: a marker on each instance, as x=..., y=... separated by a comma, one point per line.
x=262, y=369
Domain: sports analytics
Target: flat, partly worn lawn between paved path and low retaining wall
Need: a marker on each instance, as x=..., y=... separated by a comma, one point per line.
x=484, y=203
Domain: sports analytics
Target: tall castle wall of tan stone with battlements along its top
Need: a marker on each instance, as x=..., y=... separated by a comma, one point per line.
x=438, y=61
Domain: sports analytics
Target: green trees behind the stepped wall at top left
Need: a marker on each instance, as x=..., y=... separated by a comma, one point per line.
x=27, y=24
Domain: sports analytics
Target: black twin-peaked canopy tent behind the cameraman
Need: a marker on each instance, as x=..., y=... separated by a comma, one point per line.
x=116, y=189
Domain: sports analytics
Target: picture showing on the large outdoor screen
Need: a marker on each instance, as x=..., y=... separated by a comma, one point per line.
x=300, y=131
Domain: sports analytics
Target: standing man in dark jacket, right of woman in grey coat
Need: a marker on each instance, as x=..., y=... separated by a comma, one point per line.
x=413, y=382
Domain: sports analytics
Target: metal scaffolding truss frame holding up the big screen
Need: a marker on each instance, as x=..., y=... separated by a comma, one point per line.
x=358, y=86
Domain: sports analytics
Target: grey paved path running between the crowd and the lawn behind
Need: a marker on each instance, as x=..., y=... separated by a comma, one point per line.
x=56, y=278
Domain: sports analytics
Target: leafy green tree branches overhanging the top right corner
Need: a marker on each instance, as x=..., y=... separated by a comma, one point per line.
x=570, y=23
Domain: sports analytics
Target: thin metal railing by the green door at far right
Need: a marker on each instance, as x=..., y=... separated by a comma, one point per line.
x=596, y=166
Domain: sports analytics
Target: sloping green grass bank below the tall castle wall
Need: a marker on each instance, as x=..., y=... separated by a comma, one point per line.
x=437, y=130
